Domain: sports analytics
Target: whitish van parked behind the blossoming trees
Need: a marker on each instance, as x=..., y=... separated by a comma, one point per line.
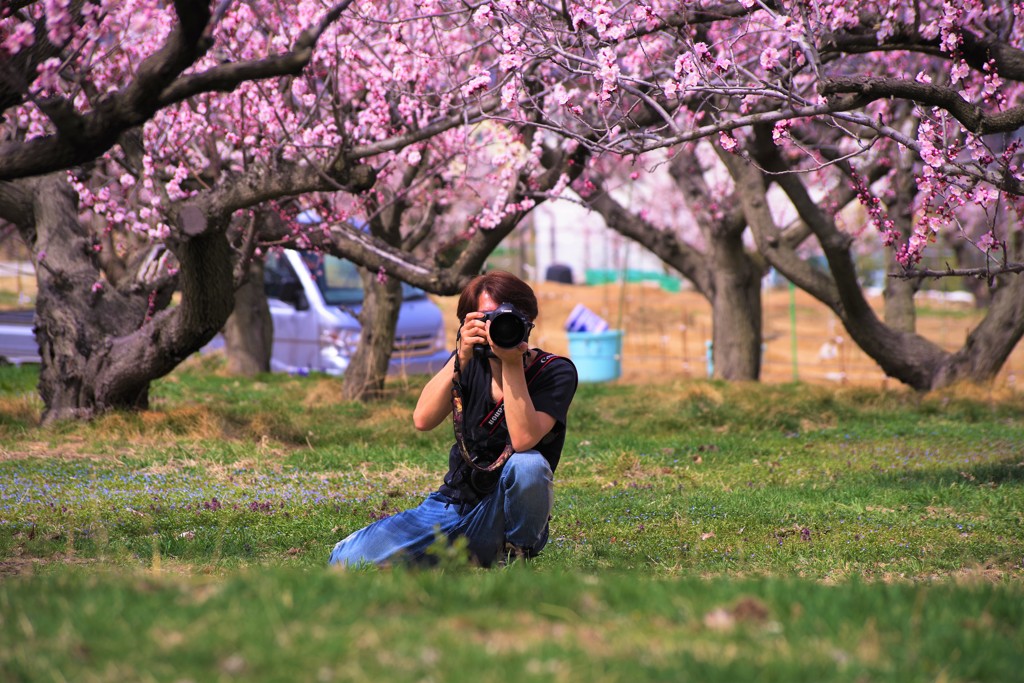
x=315, y=301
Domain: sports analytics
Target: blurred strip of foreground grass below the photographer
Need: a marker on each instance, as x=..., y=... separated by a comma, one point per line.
x=513, y=625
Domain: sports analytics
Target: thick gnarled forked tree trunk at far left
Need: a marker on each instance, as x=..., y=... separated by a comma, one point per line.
x=103, y=346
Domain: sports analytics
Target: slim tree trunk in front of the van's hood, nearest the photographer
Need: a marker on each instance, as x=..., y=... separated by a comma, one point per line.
x=367, y=371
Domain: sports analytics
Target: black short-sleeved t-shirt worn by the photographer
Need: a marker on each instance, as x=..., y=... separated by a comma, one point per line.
x=551, y=390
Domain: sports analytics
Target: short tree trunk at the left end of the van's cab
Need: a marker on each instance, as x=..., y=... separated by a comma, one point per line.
x=249, y=331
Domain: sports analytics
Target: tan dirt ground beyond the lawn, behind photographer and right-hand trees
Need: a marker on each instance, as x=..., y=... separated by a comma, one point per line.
x=666, y=334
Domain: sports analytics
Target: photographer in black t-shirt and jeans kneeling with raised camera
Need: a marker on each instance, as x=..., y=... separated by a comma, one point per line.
x=509, y=405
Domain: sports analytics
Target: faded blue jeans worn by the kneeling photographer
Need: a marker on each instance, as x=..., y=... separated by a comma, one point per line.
x=518, y=513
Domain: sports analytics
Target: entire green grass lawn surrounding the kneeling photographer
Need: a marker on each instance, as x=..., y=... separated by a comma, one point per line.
x=702, y=531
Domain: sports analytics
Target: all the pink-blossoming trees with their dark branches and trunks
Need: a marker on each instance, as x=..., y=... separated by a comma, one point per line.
x=150, y=149
